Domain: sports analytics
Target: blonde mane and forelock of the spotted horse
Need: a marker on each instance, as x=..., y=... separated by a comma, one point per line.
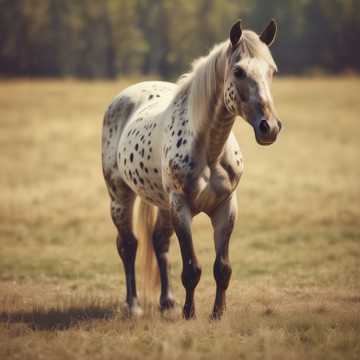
x=201, y=83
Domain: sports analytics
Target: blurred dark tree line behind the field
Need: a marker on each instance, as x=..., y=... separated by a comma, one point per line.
x=110, y=38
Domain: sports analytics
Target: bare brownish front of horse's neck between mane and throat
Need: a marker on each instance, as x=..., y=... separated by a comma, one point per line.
x=218, y=129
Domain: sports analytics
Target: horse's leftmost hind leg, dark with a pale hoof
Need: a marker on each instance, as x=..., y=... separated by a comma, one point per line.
x=121, y=212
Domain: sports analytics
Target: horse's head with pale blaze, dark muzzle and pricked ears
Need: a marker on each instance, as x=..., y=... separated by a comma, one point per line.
x=249, y=71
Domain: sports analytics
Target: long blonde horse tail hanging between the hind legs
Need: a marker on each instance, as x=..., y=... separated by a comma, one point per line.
x=144, y=223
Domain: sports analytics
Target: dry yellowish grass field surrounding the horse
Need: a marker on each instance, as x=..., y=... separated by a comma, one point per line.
x=295, y=289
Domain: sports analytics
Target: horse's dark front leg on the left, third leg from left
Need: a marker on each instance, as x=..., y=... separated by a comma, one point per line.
x=181, y=218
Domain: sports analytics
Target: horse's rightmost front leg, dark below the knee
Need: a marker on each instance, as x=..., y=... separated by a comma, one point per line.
x=223, y=220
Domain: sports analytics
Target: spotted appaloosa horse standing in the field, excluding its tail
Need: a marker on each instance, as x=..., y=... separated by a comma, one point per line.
x=172, y=146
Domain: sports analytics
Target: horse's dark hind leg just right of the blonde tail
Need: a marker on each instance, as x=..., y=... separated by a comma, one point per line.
x=161, y=241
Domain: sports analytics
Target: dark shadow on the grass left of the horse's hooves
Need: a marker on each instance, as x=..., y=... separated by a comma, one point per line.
x=60, y=318
